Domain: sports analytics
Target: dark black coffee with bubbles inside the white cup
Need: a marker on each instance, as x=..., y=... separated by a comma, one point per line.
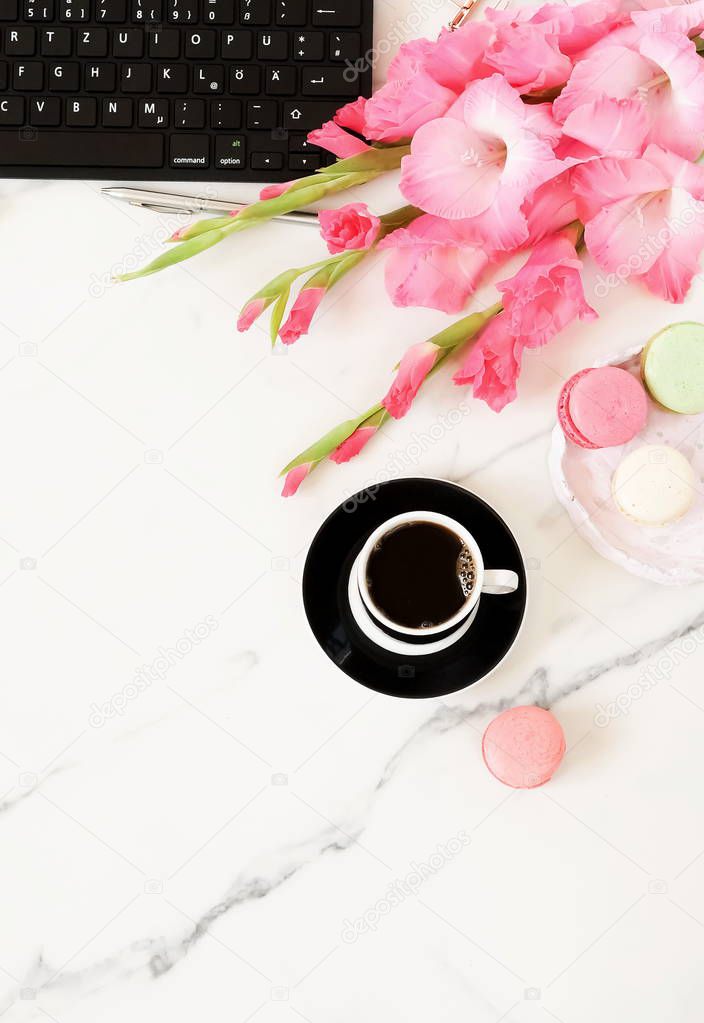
x=420, y=575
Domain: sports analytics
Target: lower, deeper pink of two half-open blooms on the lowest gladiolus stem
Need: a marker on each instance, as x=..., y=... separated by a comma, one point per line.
x=494, y=365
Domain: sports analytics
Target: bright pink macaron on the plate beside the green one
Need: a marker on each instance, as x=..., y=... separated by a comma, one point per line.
x=602, y=408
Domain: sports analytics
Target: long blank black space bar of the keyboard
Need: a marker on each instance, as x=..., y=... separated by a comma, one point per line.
x=96, y=150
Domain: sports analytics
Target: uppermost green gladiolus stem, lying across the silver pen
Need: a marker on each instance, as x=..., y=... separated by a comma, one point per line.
x=344, y=174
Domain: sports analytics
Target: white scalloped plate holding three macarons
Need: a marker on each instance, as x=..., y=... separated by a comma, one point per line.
x=673, y=556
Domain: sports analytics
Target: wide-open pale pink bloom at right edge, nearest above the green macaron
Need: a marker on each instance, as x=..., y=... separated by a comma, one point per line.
x=644, y=218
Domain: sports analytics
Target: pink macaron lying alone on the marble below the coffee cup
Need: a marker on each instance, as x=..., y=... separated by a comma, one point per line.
x=524, y=747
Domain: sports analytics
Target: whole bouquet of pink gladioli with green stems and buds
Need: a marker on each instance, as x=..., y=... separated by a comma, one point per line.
x=543, y=130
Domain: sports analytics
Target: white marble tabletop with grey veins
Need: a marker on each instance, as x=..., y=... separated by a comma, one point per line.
x=201, y=818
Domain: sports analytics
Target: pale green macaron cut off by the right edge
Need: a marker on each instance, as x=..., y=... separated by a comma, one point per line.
x=673, y=368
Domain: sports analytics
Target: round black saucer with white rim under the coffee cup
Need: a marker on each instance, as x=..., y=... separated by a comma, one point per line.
x=325, y=592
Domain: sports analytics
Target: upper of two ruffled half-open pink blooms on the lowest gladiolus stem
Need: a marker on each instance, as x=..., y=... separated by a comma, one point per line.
x=546, y=295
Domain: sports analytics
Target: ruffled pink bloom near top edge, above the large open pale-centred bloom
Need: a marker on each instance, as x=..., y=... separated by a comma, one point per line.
x=530, y=60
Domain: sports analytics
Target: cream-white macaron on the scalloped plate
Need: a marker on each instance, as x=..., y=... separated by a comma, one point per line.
x=654, y=485
